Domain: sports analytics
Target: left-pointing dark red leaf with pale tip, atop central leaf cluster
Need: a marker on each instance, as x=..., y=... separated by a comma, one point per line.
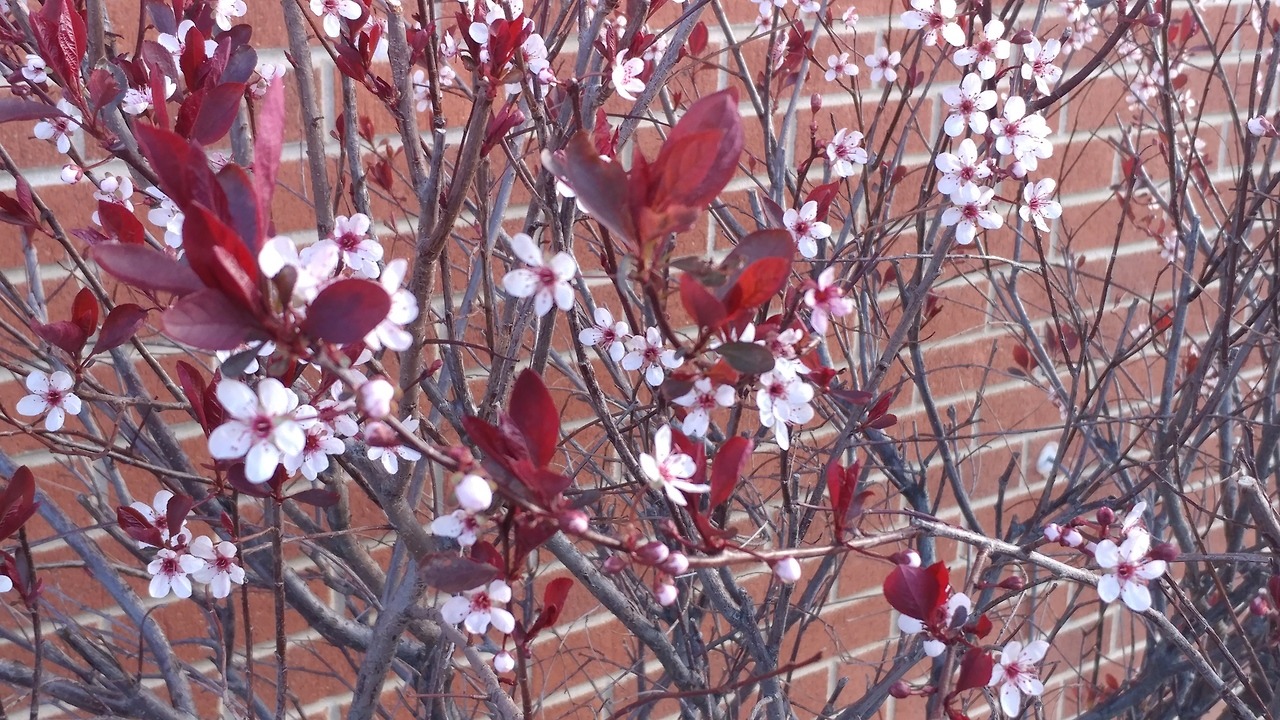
x=601, y=186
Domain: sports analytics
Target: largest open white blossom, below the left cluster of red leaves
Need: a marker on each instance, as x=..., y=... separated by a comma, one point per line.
x=264, y=427
